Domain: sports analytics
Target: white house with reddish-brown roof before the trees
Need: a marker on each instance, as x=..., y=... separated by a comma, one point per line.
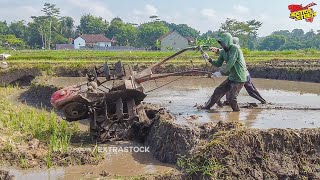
x=92, y=40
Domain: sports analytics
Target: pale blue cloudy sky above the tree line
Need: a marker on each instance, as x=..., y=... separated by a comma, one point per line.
x=202, y=15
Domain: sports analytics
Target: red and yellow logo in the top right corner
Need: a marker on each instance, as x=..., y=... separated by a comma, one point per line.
x=299, y=12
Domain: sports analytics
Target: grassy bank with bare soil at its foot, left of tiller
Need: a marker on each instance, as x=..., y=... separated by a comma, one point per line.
x=32, y=137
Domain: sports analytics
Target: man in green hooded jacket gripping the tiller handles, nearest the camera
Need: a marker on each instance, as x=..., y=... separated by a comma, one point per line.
x=236, y=68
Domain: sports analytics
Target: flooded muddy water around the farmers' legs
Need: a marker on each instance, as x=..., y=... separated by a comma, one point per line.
x=181, y=96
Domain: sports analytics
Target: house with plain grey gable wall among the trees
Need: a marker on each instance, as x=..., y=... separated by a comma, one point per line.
x=173, y=41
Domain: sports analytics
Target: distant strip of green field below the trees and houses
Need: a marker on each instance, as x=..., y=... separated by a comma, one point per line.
x=83, y=57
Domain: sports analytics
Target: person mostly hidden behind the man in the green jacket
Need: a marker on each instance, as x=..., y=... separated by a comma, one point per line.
x=248, y=85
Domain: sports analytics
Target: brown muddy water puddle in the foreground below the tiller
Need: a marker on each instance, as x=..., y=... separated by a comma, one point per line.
x=116, y=163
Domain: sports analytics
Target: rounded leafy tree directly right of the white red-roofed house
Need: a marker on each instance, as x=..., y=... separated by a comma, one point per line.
x=125, y=33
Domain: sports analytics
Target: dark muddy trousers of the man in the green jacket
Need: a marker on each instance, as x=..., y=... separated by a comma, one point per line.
x=226, y=86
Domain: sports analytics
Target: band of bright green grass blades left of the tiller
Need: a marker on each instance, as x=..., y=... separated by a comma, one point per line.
x=40, y=125
